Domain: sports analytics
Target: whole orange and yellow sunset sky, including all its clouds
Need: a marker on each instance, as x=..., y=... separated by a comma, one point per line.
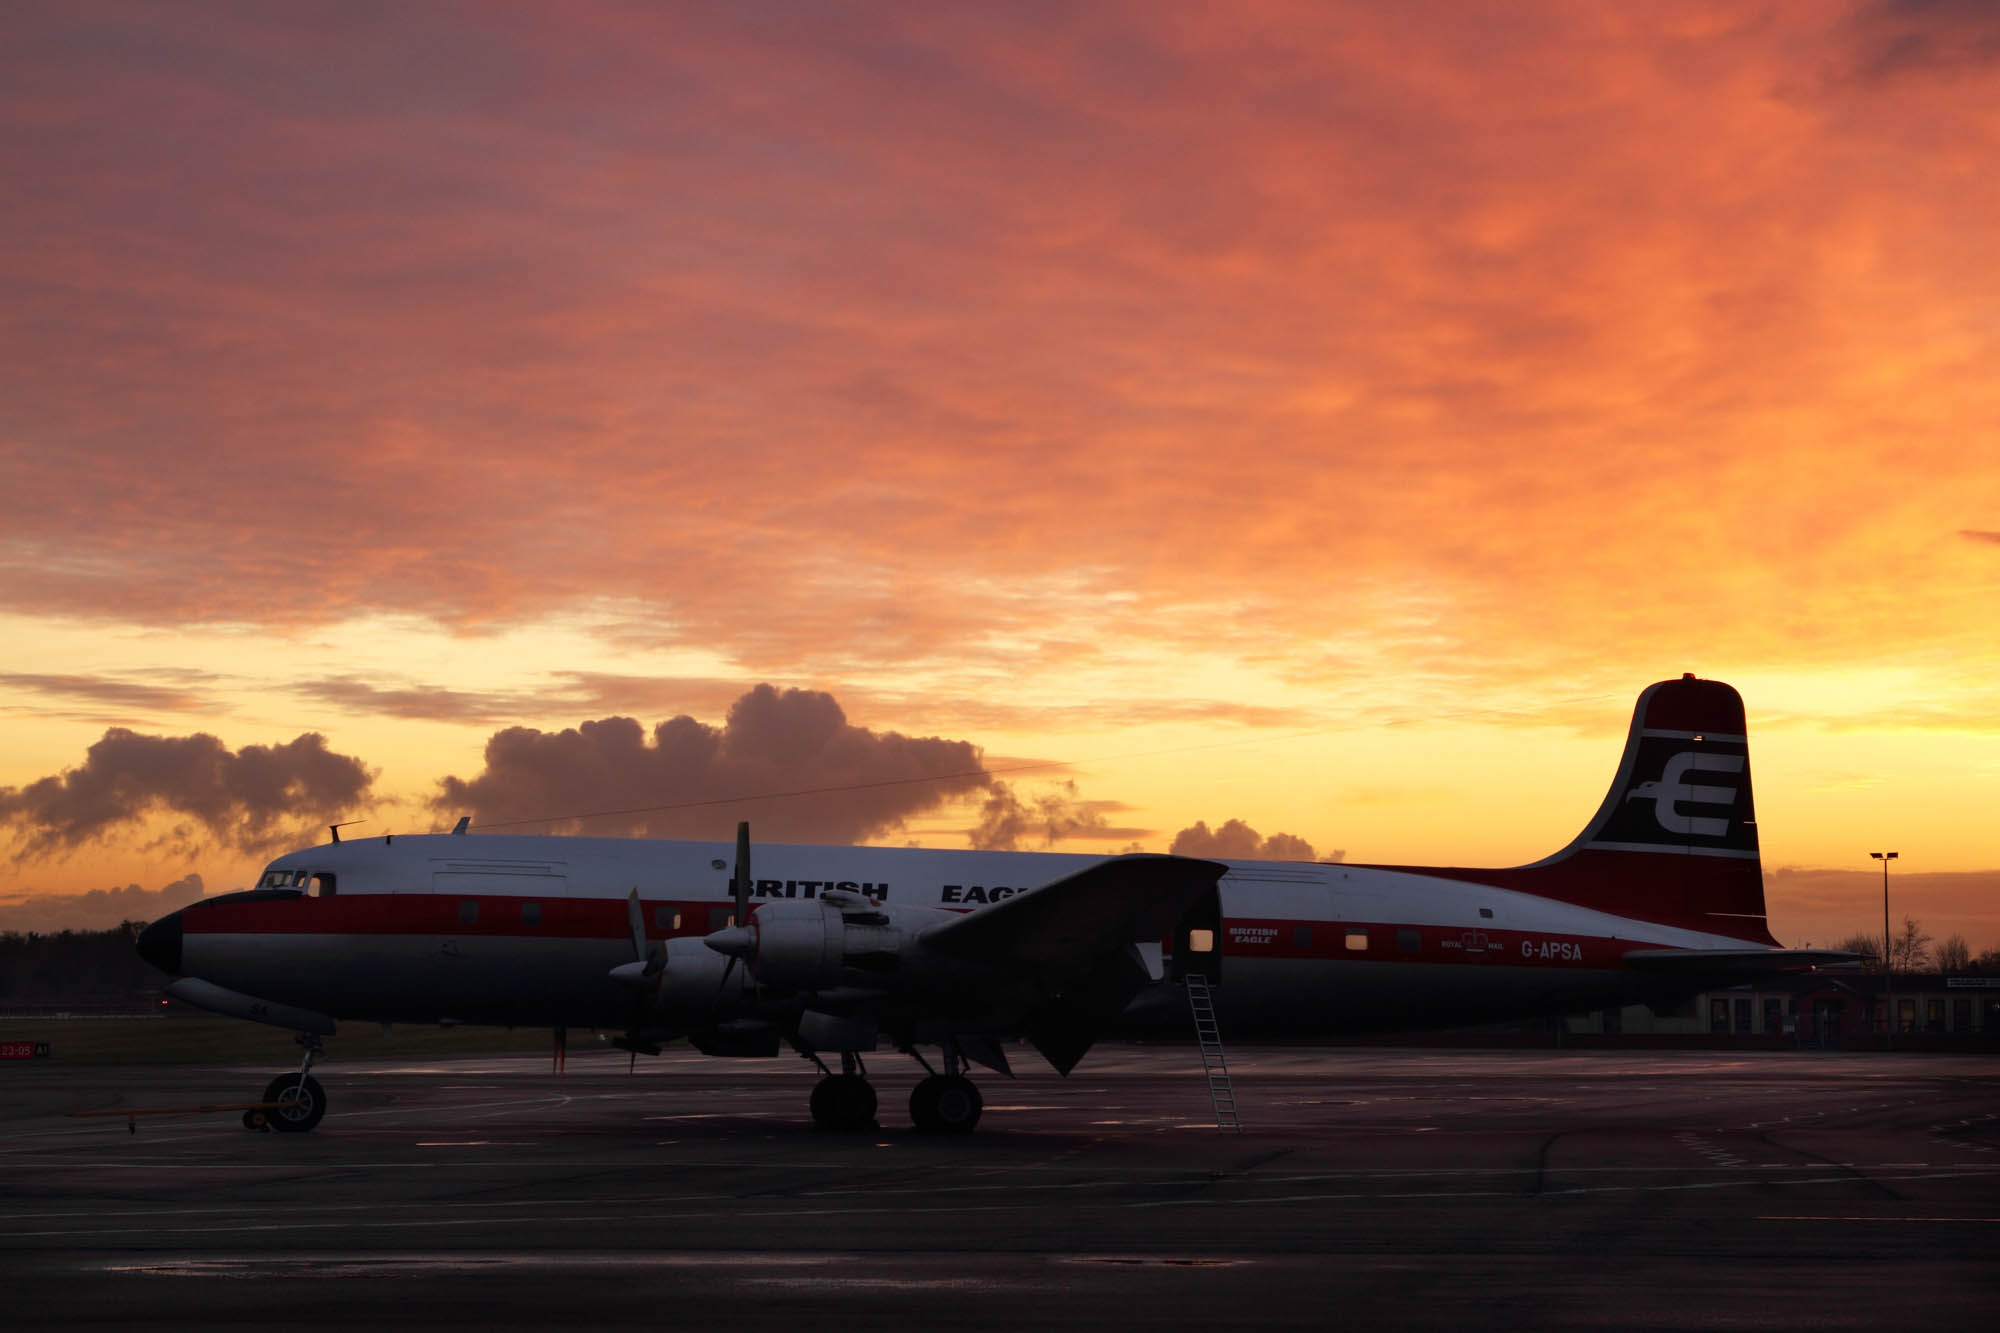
x=1317, y=415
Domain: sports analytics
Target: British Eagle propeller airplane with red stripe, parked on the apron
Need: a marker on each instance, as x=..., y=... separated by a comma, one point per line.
x=839, y=950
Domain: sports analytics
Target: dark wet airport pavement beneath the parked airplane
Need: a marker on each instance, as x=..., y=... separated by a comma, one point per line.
x=1411, y=1188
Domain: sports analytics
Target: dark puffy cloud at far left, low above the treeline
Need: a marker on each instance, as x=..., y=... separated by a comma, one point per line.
x=251, y=800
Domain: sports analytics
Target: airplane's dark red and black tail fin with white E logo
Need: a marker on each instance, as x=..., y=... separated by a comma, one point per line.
x=1675, y=842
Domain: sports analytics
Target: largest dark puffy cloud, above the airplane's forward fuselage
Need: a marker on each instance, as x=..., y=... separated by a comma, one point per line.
x=691, y=780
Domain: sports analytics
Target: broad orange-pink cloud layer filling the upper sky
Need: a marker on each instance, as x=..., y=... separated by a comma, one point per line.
x=1591, y=327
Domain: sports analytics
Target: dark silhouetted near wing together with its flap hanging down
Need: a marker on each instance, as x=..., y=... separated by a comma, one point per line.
x=1077, y=940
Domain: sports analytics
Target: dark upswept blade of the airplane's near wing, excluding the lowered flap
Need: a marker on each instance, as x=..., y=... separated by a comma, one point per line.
x=1083, y=918
